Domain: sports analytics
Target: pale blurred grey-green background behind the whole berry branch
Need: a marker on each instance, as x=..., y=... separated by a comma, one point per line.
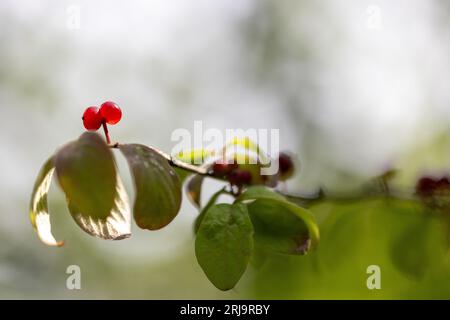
x=355, y=87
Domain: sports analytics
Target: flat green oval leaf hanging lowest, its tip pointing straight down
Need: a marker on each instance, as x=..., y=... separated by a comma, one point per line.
x=224, y=244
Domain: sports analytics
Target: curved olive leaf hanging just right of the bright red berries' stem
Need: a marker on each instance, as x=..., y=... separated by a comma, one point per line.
x=158, y=188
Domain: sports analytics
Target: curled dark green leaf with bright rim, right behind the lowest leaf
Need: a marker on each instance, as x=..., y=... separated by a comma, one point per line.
x=280, y=225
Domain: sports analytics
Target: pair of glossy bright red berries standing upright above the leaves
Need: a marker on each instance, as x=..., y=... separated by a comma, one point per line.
x=109, y=112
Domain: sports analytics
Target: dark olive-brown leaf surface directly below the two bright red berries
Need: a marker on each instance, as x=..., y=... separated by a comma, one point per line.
x=87, y=174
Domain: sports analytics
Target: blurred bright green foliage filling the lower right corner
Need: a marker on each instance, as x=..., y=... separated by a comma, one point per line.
x=400, y=236
